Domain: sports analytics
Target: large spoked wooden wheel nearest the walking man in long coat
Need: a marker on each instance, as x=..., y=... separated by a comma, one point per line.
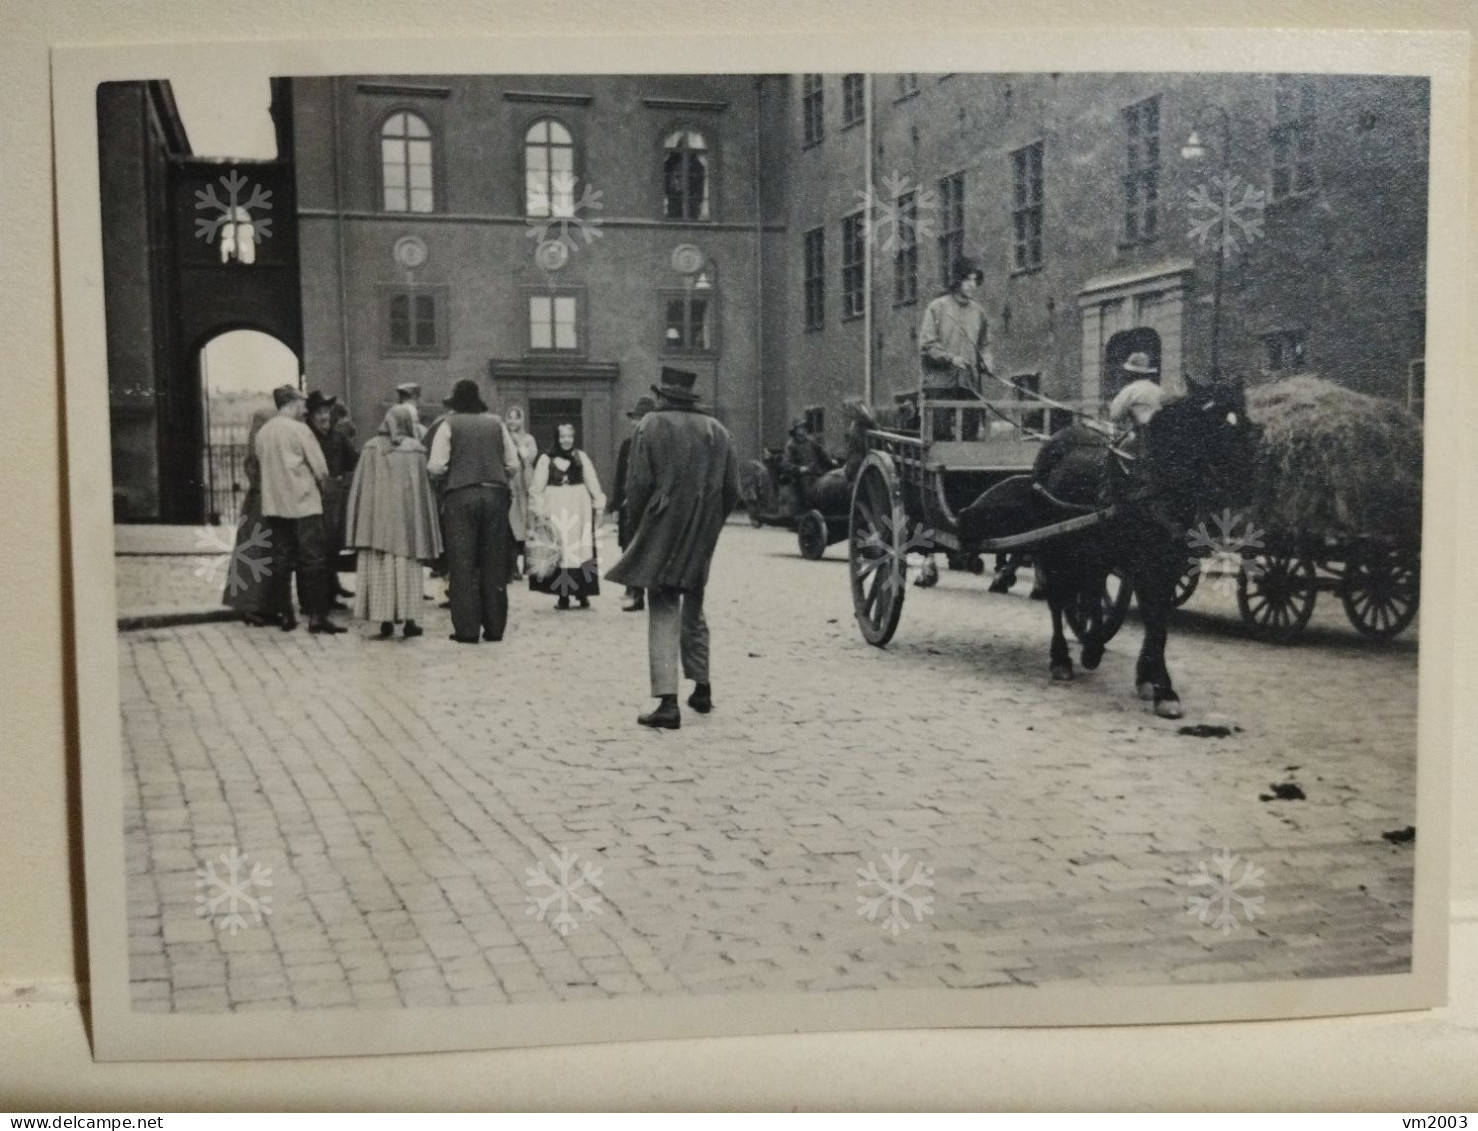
x=877, y=548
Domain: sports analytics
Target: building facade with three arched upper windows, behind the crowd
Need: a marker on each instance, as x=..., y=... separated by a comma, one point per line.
x=555, y=239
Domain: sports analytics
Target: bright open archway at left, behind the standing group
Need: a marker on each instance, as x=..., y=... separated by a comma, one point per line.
x=239, y=370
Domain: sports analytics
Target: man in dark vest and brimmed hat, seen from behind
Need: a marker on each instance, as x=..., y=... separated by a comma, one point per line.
x=475, y=459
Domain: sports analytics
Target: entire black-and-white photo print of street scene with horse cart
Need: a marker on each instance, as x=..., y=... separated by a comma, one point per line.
x=588, y=543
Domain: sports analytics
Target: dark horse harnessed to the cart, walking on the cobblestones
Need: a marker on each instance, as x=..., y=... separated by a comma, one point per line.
x=1193, y=458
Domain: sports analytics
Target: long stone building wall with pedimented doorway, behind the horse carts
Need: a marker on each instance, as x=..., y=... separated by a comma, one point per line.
x=1074, y=196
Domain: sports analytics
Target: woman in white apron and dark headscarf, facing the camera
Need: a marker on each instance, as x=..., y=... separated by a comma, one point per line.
x=567, y=496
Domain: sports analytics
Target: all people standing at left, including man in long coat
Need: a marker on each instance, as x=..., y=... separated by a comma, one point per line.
x=475, y=495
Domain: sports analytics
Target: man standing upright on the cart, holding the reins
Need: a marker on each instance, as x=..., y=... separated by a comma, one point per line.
x=956, y=351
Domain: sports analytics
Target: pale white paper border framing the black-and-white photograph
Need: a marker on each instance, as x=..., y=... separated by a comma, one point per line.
x=119, y=1034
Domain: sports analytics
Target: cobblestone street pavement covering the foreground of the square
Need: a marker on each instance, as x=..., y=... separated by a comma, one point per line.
x=400, y=792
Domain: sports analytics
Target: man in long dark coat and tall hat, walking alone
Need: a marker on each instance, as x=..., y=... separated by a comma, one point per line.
x=682, y=483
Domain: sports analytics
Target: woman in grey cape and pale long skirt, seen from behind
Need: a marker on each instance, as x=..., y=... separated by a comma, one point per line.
x=392, y=524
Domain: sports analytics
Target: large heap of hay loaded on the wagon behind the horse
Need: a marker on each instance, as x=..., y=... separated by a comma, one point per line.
x=1335, y=463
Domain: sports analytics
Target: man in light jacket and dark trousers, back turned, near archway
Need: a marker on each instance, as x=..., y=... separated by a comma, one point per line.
x=293, y=474
